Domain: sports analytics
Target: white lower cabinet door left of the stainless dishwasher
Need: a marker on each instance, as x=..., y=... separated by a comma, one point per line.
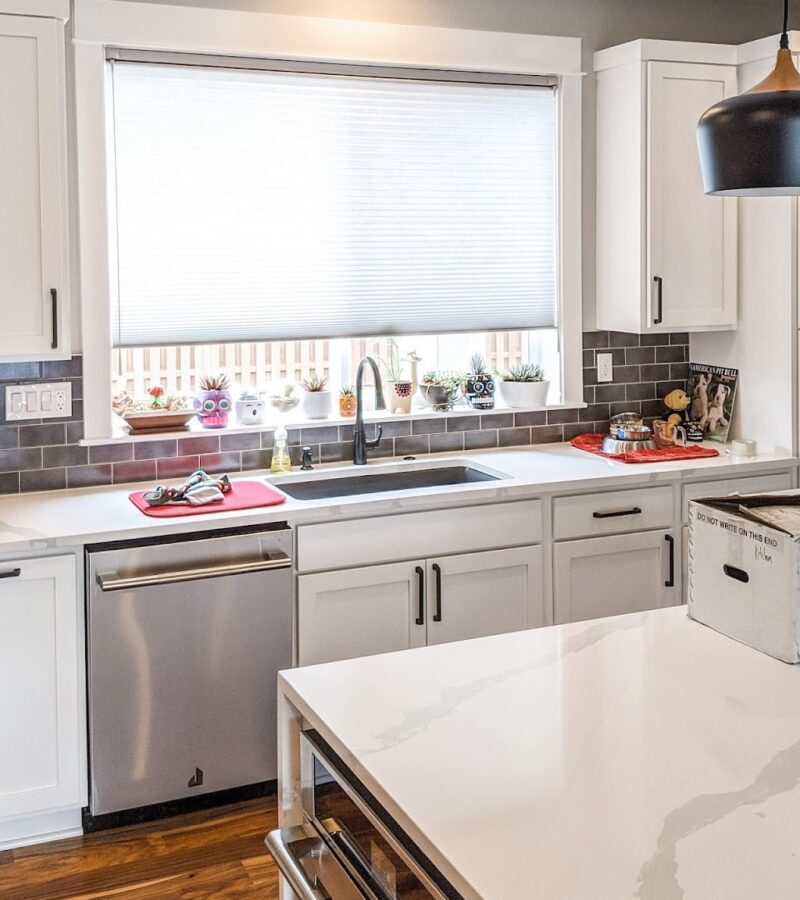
x=39, y=692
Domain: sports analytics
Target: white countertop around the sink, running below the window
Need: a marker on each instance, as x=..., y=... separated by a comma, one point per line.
x=38, y=521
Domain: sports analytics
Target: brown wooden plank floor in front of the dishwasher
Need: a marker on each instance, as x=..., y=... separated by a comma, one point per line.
x=216, y=853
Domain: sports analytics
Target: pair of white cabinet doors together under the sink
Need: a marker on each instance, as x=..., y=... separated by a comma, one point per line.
x=378, y=609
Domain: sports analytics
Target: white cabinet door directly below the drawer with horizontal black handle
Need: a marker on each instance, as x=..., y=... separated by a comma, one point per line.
x=608, y=576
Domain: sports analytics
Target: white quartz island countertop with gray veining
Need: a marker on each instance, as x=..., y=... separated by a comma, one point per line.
x=643, y=756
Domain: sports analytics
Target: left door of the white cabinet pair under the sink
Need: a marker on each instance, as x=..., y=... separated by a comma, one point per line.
x=358, y=612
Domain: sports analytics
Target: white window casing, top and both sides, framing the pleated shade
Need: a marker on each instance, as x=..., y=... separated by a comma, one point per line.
x=122, y=27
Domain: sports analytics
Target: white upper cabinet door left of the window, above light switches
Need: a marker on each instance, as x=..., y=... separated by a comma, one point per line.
x=34, y=271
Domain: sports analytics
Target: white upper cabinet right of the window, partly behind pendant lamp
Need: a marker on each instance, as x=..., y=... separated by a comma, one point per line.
x=666, y=253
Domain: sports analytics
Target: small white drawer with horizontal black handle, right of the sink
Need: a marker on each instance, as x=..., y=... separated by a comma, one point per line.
x=614, y=512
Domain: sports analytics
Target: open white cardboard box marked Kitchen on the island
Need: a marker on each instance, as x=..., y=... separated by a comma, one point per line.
x=744, y=570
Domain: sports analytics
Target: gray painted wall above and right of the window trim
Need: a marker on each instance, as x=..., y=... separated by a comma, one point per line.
x=599, y=23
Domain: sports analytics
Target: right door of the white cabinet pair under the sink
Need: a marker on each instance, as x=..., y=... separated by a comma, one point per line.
x=479, y=594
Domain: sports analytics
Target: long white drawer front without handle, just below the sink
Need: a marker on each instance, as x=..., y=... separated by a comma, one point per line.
x=360, y=542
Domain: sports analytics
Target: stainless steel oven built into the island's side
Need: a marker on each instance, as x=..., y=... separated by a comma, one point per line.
x=348, y=847
